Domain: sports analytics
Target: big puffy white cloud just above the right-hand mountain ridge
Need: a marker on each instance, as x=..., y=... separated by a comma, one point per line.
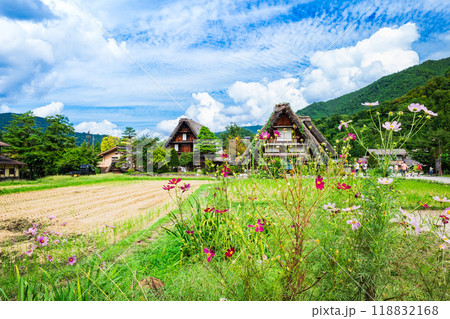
x=347, y=69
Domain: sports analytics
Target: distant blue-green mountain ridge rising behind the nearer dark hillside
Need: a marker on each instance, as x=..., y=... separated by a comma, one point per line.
x=385, y=89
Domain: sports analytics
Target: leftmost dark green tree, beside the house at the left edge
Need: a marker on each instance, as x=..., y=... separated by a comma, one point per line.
x=26, y=143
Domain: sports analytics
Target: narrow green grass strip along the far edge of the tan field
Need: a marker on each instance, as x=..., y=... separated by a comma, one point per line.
x=50, y=182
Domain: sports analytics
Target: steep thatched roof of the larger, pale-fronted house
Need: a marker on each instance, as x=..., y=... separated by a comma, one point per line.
x=314, y=139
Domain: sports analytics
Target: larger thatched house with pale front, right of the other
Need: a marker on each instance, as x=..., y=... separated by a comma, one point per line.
x=298, y=137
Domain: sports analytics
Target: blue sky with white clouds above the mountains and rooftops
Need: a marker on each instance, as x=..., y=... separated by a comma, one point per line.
x=215, y=61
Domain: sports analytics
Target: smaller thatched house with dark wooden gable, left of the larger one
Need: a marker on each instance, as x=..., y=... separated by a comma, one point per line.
x=183, y=136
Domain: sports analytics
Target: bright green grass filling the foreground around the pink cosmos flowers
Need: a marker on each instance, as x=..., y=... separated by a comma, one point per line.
x=121, y=263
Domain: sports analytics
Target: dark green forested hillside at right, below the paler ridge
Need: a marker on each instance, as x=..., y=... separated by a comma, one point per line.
x=424, y=147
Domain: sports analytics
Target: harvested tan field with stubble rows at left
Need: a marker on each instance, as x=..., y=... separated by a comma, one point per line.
x=84, y=208
